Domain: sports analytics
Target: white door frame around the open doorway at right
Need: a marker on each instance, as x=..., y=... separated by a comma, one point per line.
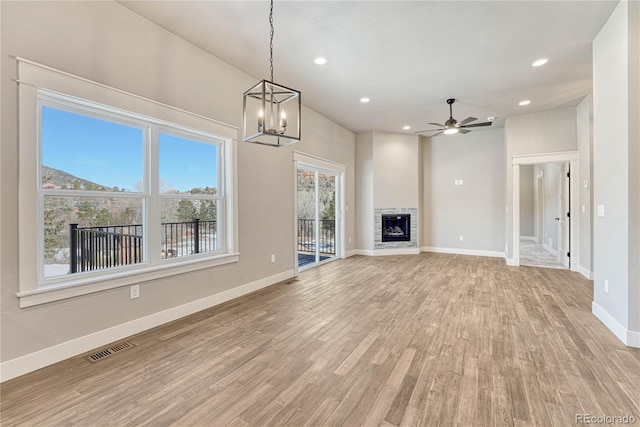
x=533, y=159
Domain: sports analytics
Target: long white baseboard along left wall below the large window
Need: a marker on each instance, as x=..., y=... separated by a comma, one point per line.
x=48, y=356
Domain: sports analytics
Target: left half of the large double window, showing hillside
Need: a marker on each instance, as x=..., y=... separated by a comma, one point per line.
x=93, y=195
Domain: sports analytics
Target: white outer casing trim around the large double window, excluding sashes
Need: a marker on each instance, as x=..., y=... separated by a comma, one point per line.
x=34, y=77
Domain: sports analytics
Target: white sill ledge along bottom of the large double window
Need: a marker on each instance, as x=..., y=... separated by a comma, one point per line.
x=89, y=285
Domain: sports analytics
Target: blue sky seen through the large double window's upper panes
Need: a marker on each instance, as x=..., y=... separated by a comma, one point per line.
x=111, y=154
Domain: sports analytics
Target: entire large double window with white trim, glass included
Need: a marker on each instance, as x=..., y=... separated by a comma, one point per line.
x=118, y=196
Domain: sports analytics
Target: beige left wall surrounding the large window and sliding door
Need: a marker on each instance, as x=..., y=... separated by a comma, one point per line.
x=107, y=43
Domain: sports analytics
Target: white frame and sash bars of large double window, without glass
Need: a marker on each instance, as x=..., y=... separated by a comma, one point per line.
x=41, y=85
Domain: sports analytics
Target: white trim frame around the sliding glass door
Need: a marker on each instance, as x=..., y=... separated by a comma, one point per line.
x=307, y=160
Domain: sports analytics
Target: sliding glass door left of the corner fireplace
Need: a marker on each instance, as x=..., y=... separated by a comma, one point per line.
x=318, y=212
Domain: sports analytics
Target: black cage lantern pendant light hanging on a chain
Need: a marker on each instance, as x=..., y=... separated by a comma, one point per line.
x=270, y=111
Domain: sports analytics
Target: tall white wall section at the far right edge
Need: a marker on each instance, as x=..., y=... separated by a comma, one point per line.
x=616, y=100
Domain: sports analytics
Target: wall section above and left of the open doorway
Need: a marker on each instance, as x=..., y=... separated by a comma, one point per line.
x=537, y=133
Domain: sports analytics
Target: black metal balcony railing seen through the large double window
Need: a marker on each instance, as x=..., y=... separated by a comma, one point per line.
x=95, y=248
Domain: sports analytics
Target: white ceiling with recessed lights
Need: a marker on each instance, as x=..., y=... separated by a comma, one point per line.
x=407, y=56
